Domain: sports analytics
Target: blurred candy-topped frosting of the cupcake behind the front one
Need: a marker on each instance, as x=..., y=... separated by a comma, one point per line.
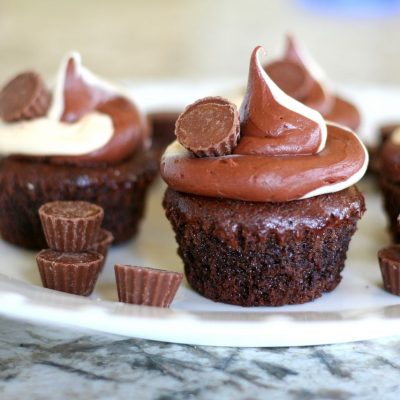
x=299, y=76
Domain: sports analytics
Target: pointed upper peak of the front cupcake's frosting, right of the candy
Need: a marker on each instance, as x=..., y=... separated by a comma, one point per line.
x=273, y=123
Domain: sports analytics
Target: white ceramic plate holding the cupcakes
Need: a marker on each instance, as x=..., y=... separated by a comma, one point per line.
x=358, y=309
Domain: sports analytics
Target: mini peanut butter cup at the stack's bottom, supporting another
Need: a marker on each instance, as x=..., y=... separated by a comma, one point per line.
x=74, y=273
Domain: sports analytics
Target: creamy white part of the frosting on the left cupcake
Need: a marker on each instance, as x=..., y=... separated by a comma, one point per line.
x=48, y=135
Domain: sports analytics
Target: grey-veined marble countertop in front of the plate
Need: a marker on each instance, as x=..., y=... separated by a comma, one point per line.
x=40, y=362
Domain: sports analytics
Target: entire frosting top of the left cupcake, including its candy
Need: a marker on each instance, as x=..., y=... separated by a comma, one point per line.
x=87, y=120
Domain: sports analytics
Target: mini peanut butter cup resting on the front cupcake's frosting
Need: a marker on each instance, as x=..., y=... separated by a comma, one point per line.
x=209, y=127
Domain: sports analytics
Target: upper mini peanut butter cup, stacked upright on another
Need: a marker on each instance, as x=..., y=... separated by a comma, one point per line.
x=71, y=226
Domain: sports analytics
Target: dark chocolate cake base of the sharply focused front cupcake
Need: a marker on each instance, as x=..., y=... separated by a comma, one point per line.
x=264, y=254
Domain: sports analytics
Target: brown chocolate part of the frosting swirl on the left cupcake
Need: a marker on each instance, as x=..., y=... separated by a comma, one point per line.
x=131, y=130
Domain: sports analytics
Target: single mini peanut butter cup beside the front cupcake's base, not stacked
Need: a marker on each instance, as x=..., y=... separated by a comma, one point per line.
x=146, y=286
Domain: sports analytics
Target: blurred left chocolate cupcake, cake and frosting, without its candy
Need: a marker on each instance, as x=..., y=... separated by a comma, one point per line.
x=91, y=144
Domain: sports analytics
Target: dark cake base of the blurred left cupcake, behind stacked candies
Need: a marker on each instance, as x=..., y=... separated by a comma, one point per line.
x=120, y=189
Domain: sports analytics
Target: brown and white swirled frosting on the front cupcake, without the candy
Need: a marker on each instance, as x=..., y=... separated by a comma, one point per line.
x=286, y=151
